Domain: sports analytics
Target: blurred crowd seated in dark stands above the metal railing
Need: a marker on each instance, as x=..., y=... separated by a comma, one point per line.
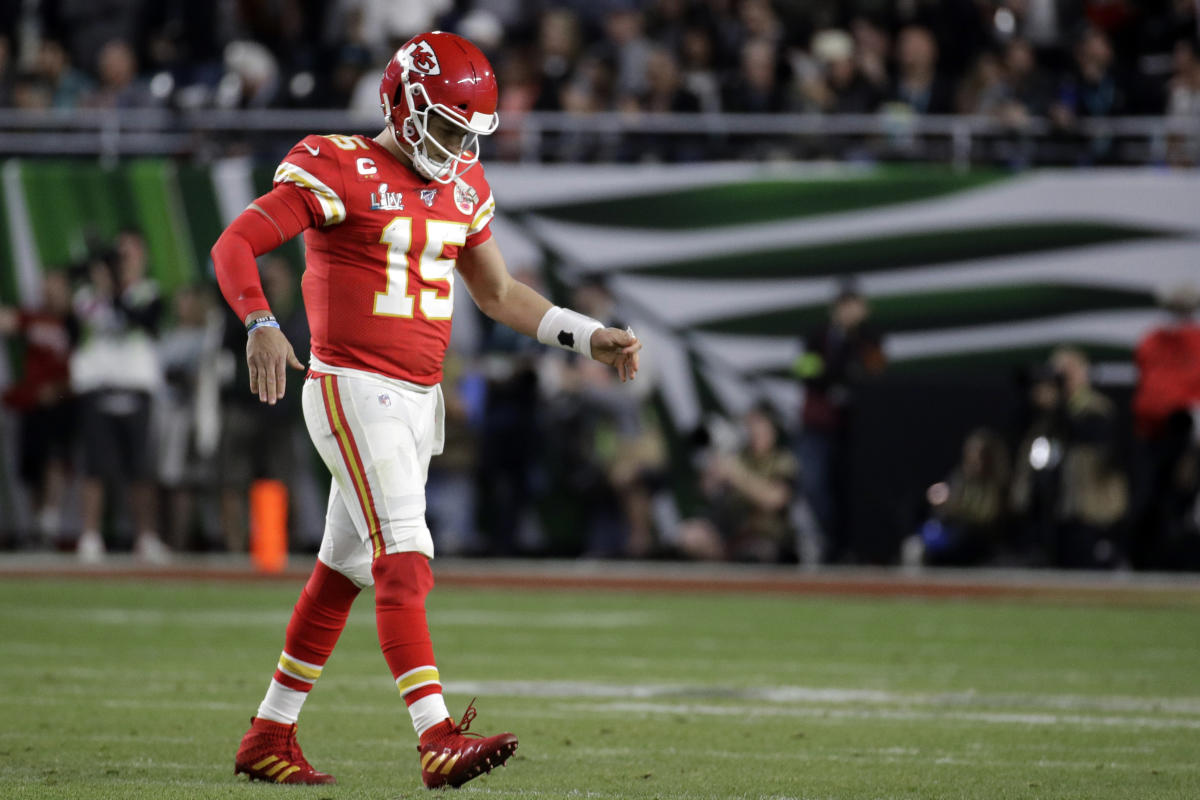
x=1012, y=59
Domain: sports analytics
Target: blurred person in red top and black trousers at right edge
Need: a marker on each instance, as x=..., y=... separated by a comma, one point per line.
x=1167, y=428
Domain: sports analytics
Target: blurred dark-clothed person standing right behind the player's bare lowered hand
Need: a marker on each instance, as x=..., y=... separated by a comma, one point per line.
x=260, y=441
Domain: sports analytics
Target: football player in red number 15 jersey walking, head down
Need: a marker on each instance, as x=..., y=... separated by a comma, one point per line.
x=389, y=224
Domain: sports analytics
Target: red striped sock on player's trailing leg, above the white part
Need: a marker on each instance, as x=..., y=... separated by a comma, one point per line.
x=317, y=622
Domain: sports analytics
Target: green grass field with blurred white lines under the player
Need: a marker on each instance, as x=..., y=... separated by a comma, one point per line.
x=142, y=690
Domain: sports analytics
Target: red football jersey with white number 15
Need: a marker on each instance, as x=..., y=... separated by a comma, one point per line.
x=379, y=285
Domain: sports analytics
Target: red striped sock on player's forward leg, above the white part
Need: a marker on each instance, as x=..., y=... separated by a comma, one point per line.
x=403, y=581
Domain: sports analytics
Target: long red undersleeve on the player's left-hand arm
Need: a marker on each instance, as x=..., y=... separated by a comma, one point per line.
x=271, y=221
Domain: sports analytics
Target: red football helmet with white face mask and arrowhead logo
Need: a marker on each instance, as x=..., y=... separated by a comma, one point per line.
x=447, y=75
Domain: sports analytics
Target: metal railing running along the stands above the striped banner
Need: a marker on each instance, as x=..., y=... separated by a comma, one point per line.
x=611, y=136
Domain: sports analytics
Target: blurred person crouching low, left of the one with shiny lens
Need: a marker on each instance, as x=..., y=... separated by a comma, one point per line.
x=969, y=510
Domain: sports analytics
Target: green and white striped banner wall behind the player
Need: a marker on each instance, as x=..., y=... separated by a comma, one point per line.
x=722, y=268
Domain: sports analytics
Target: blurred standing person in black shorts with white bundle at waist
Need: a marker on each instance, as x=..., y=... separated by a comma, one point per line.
x=116, y=372
